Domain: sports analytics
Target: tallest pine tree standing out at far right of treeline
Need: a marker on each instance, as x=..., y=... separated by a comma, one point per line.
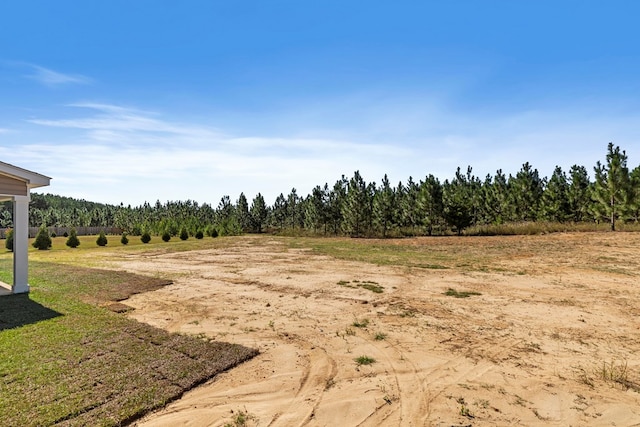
x=612, y=190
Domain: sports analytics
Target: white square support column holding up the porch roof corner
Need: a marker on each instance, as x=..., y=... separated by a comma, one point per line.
x=20, y=244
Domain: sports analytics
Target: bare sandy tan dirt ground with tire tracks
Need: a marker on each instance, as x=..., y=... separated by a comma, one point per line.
x=552, y=339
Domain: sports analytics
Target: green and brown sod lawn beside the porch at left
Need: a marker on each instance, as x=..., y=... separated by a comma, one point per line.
x=65, y=359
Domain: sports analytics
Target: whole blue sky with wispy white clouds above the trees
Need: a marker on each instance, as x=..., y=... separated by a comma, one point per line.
x=133, y=101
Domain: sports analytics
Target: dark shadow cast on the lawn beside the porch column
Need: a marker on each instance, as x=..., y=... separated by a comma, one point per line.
x=20, y=310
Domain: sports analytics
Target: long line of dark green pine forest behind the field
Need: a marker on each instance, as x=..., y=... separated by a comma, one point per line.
x=354, y=207
